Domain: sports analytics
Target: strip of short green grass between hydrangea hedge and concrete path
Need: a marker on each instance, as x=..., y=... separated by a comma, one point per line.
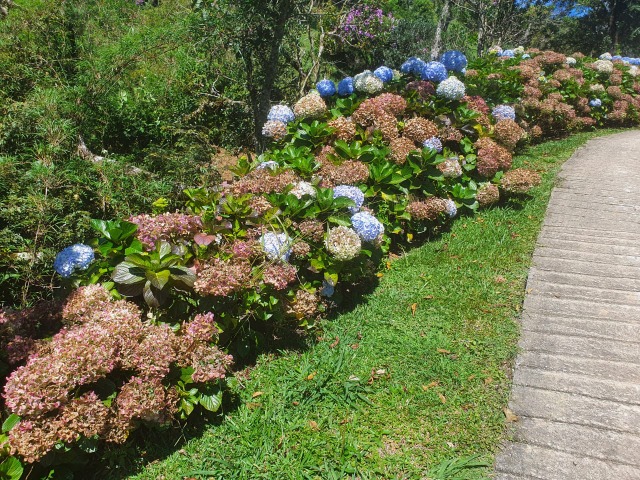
x=411, y=383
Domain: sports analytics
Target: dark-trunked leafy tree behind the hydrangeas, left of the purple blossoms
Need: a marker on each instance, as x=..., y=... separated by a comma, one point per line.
x=266, y=37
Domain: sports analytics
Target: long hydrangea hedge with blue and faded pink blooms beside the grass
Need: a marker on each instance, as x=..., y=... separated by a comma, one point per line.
x=354, y=170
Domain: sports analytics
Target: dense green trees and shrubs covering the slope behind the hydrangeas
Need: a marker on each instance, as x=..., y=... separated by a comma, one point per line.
x=158, y=88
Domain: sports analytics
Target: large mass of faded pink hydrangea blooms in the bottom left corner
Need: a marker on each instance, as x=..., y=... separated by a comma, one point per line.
x=109, y=338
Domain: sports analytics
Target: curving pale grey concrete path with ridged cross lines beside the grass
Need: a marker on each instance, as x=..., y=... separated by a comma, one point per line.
x=576, y=386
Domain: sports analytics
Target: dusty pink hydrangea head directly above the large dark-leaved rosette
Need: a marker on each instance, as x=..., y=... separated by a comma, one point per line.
x=172, y=227
